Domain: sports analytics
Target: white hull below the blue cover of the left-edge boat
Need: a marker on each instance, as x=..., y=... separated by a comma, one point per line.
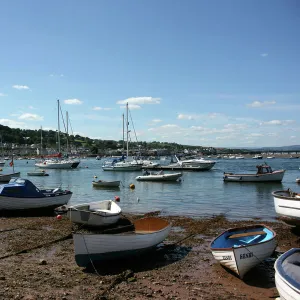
x=12, y=203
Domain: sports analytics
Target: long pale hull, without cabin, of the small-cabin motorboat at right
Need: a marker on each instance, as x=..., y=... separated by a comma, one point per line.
x=276, y=176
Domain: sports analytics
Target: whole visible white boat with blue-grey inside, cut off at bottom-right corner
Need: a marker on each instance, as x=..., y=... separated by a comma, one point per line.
x=287, y=275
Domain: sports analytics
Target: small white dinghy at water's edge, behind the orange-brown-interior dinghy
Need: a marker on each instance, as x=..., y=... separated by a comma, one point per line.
x=101, y=213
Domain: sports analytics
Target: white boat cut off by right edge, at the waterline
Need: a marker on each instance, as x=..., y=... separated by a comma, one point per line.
x=287, y=206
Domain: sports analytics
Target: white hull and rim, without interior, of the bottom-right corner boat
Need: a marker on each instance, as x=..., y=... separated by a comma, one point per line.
x=286, y=289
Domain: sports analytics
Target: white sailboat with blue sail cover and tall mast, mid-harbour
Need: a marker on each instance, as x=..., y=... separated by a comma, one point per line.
x=122, y=164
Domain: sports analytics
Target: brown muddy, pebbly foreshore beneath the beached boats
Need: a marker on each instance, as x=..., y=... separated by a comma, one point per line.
x=37, y=262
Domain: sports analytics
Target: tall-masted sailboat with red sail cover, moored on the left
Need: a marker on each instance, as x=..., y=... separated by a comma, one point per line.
x=57, y=163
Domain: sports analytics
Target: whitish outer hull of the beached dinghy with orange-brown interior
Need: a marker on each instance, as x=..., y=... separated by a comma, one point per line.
x=98, y=247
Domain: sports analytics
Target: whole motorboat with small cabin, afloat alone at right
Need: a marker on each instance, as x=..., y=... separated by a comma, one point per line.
x=264, y=173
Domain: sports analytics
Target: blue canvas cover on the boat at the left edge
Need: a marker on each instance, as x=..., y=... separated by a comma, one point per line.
x=20, y=188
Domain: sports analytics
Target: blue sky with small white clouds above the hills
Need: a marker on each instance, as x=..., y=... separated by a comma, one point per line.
x=207, y=73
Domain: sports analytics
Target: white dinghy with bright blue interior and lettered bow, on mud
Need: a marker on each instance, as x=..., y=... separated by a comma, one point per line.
x=240, y=249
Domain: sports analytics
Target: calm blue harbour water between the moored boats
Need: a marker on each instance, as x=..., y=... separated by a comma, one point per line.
x=198, y=194
